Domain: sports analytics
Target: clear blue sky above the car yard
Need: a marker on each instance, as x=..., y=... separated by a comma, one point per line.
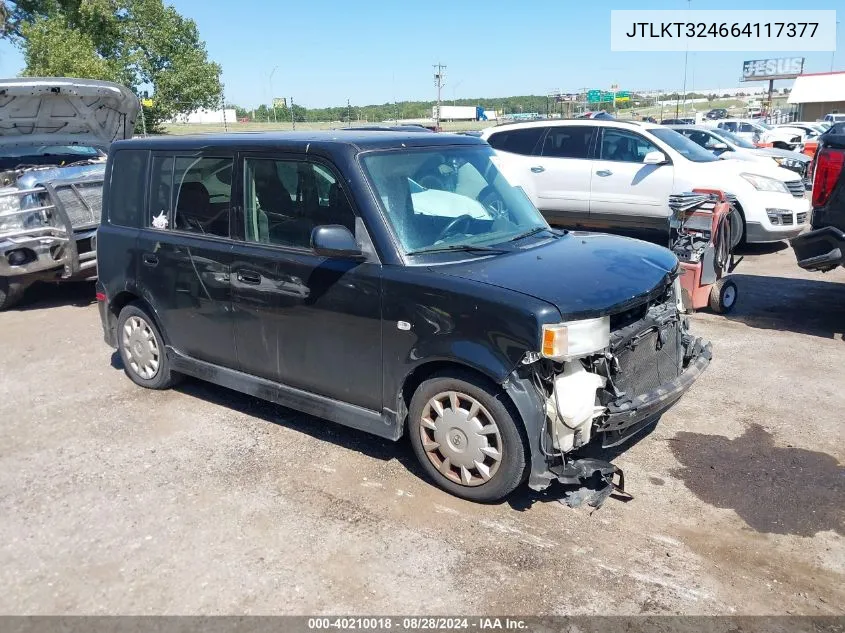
x=328, y=51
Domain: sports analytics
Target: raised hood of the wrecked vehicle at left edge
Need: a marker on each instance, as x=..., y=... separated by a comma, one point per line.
x=37, y=111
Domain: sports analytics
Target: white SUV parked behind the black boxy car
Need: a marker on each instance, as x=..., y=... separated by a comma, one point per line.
x=619, y=175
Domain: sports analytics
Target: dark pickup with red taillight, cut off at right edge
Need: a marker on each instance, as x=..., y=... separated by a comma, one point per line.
x=823, y=248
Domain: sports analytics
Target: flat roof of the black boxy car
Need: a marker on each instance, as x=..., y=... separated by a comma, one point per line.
x=359, y=140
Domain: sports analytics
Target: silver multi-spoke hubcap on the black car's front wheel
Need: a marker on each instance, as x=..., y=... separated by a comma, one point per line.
x=461, y=438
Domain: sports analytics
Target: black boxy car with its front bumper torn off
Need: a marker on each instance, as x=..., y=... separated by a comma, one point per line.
x=391, y=282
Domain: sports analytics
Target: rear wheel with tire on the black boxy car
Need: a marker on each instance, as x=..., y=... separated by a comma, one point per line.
x=141, y=348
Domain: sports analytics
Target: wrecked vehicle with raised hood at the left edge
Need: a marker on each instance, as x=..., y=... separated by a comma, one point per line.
x=54, y=135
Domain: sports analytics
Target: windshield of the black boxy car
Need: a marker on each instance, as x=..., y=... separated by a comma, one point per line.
x=435, y=198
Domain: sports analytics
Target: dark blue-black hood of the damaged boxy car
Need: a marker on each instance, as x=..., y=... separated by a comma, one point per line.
x=583, y=274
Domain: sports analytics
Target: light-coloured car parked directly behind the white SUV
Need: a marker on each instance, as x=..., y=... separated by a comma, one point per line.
x=728, y=145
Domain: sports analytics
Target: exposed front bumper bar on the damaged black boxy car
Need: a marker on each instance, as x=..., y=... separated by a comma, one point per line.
x=626, y=420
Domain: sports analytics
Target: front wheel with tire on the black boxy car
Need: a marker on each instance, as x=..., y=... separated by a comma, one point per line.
x=466, y=438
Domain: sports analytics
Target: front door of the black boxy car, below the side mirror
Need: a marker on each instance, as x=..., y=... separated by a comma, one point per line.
x=306, y=321
